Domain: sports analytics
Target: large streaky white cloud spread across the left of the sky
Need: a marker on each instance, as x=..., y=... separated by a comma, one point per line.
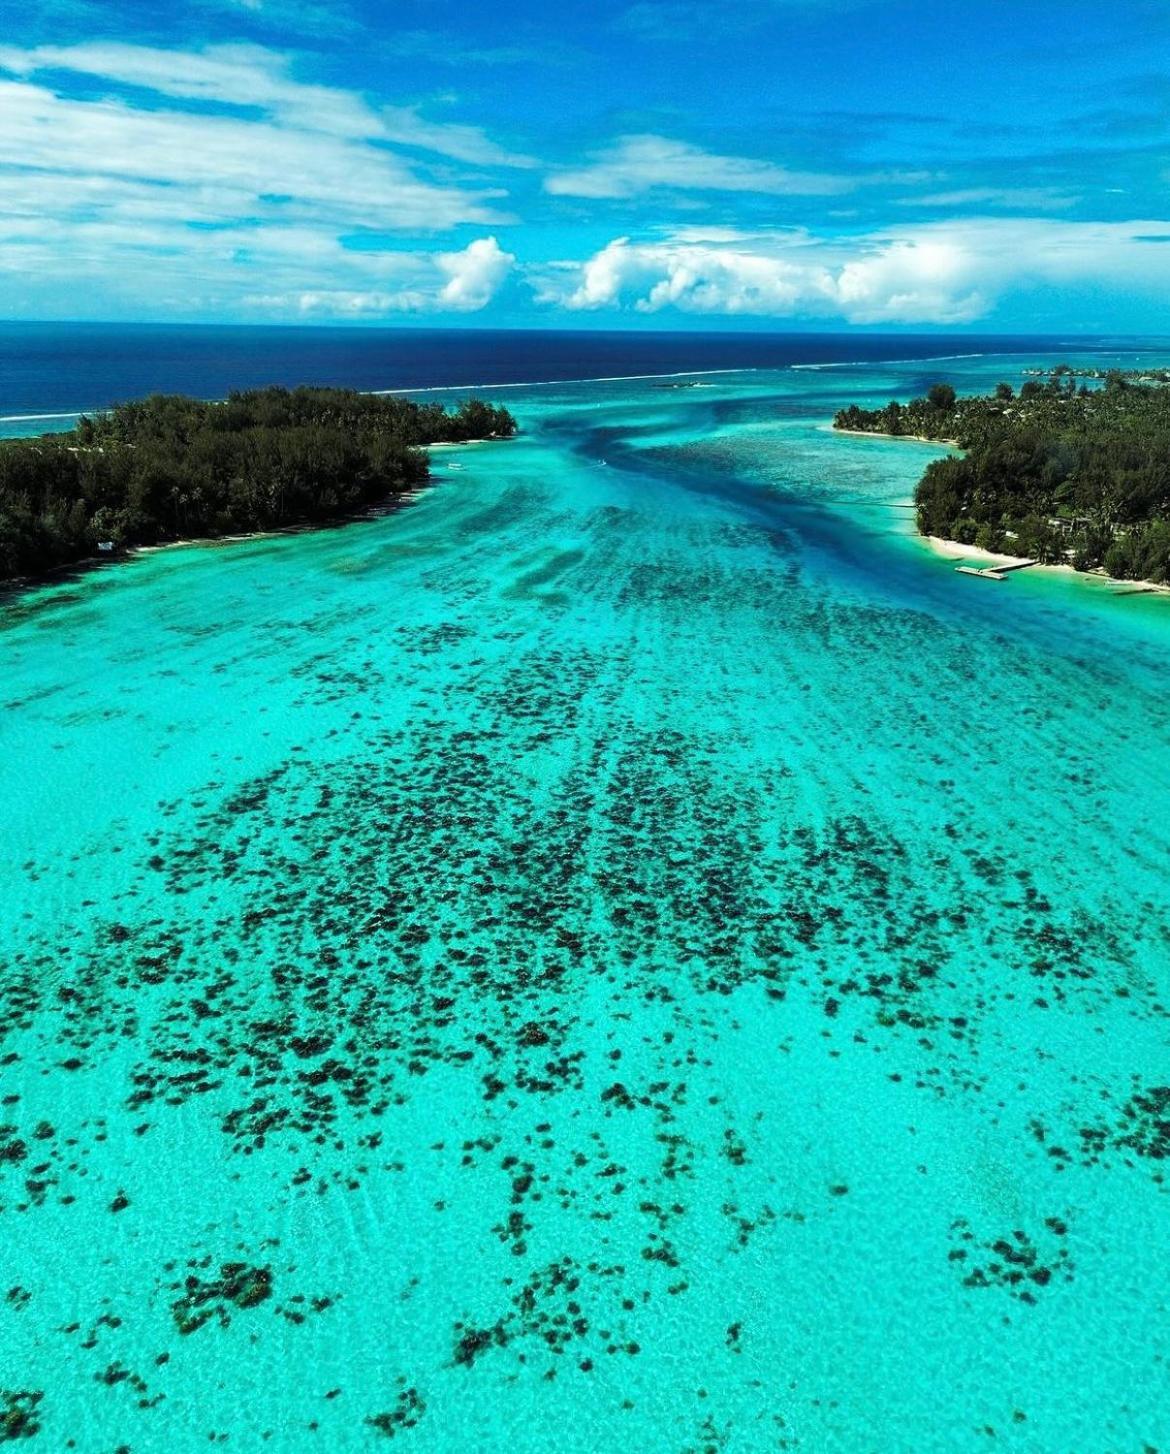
x=164, y=200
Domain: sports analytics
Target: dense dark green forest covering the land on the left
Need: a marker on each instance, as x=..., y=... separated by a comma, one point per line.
x=172, y=467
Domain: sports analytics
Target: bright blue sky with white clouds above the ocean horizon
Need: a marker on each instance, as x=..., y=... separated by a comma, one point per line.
x=624, y=164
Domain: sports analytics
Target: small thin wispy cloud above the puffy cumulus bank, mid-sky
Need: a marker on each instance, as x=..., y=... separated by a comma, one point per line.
x=636, y=165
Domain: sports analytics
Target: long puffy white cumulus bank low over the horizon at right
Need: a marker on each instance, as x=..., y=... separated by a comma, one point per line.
x=934, y=274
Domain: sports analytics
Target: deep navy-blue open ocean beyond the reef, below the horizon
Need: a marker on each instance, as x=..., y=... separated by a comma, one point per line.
x=68, y=369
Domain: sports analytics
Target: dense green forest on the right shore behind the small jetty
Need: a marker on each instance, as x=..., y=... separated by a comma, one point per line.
x=1059, y=472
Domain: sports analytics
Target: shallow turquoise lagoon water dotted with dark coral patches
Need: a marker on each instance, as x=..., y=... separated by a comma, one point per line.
x=629, y=952
